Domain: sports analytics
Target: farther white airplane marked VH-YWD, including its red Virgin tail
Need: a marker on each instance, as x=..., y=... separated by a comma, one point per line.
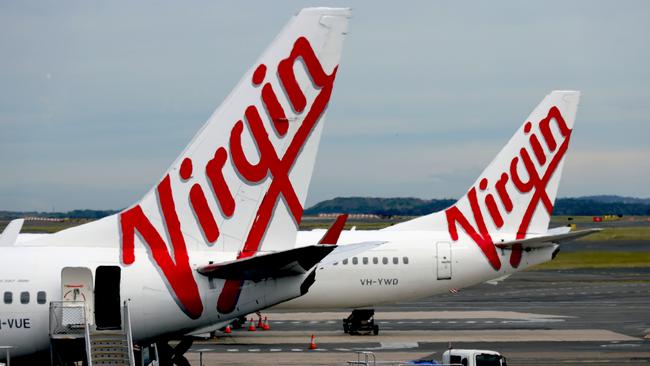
x=499, y=227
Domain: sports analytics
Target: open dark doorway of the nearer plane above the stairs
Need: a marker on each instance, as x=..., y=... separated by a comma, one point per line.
x=108, y=311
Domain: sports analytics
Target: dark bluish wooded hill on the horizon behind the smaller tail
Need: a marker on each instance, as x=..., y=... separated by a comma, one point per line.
x=594, y=205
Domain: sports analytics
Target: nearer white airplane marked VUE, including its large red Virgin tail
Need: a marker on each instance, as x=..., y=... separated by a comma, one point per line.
x=214, y=238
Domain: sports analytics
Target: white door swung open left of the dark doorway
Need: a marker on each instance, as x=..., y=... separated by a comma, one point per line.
x=77, y=287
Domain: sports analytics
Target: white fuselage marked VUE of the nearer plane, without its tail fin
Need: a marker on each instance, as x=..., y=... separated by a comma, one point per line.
x=153, y=311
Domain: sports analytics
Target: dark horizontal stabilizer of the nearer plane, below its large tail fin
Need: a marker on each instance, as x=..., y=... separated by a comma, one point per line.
x=269, y=265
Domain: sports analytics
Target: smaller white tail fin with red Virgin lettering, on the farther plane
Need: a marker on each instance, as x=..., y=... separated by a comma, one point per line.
x=514, y=195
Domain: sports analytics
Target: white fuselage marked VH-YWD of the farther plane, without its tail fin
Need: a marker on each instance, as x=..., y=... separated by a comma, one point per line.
x=425, y=271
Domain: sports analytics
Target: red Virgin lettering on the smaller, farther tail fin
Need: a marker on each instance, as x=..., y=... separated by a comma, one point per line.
x=536, y=183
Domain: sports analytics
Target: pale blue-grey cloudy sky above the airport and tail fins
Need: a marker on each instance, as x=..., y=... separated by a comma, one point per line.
x=98, y=98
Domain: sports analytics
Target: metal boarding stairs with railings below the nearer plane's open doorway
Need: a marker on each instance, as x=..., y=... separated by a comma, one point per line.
x=69, y=328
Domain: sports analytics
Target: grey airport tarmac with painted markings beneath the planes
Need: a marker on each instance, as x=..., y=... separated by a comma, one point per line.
x=572, y=317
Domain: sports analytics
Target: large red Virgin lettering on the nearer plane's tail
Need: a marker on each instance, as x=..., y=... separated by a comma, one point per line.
x=175, y=268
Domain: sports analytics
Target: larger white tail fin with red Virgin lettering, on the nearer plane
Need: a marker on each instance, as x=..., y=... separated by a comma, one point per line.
x=241, y=184
